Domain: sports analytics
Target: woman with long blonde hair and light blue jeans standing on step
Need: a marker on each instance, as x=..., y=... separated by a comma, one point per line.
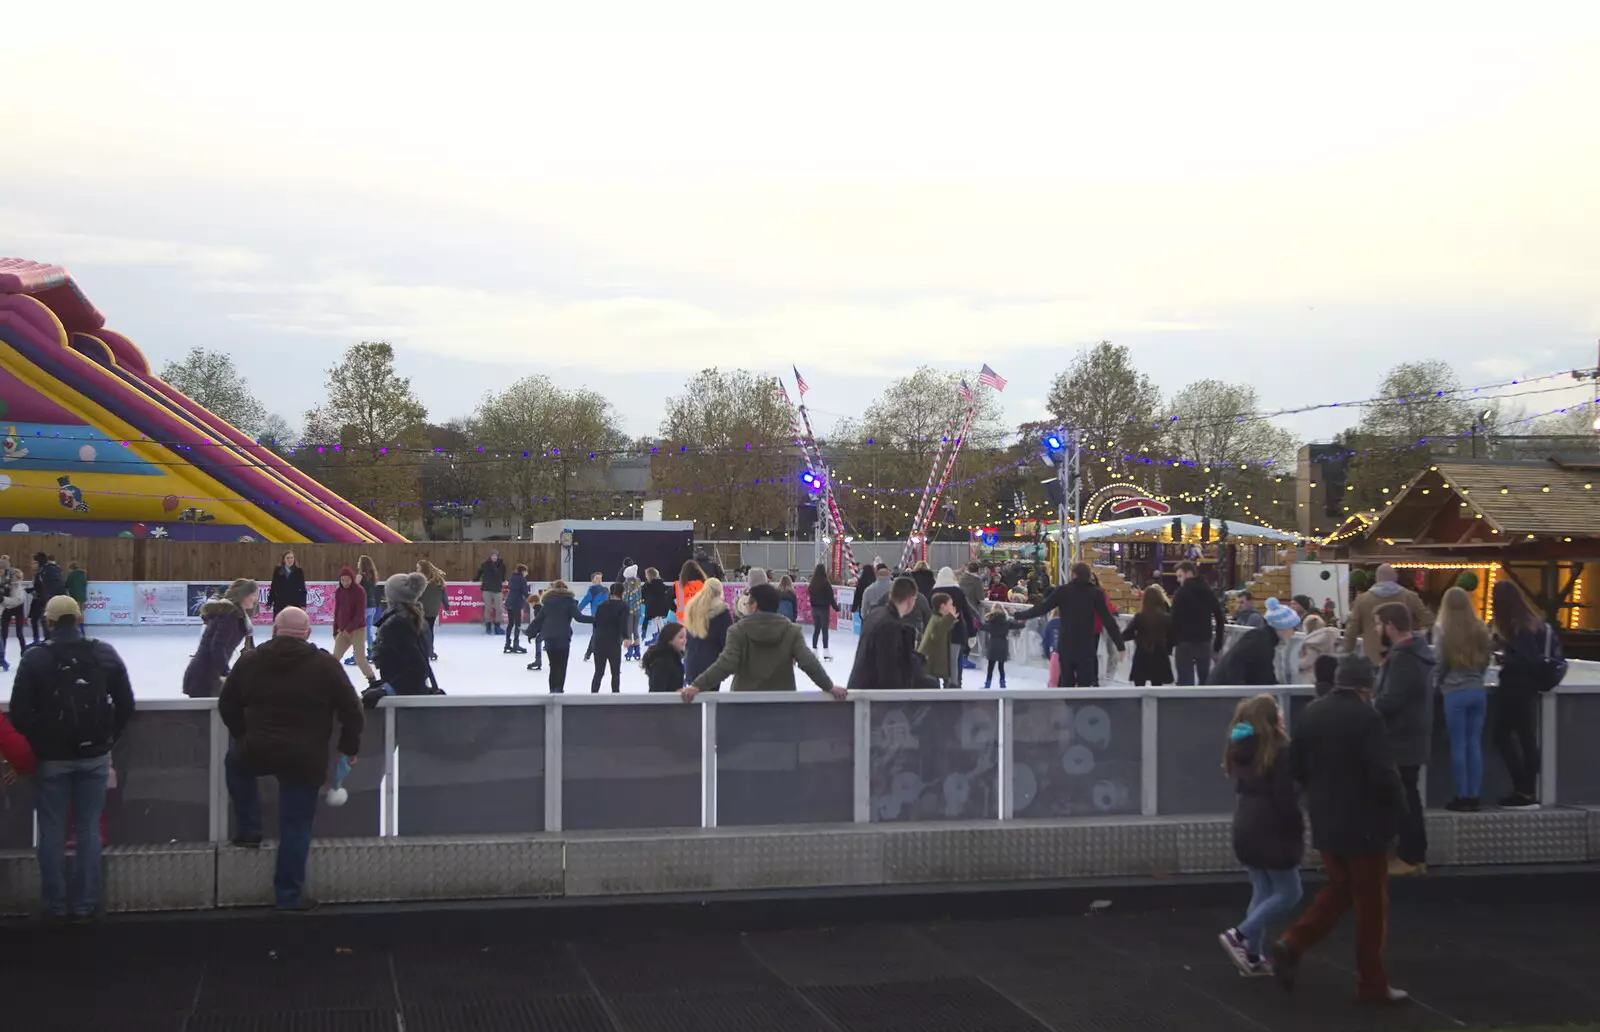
x=1463, y=649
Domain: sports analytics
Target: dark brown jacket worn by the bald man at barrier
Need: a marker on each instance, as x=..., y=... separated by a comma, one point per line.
x=281, y=703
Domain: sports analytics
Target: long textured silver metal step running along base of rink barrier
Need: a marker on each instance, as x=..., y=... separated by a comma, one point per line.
x=596, y=865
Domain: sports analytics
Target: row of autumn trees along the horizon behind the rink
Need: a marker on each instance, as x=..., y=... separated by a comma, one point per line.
x=724, y=452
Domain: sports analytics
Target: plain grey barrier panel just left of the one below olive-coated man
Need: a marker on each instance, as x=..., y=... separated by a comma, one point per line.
x=631, y=767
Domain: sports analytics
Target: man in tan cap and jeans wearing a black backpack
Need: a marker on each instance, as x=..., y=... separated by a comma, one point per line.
x=71, y=702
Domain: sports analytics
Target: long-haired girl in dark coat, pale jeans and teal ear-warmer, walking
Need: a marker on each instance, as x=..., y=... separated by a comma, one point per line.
x=1270, y=833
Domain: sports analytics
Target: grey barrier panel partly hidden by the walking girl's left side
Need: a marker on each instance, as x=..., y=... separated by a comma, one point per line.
x=1190, y=770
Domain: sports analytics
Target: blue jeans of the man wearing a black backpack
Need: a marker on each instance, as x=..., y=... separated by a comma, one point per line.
x=81, y=786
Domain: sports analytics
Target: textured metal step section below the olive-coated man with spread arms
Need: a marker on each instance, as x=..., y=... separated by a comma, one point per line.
x=722, y=860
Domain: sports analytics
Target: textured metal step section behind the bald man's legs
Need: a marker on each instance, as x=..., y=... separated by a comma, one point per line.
x=401, y=870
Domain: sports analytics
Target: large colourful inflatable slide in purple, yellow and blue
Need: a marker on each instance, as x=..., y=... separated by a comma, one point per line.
x=94, y=444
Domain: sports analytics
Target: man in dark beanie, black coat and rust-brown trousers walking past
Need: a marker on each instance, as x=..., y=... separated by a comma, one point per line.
x=1354, y=798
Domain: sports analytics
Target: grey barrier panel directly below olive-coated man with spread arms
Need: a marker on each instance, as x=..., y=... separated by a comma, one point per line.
x=790, y=764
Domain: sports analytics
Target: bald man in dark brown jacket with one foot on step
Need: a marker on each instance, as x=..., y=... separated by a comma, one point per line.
x=279, y=706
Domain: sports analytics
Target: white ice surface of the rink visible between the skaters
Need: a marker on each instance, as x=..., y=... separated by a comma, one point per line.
x=470, y=663
